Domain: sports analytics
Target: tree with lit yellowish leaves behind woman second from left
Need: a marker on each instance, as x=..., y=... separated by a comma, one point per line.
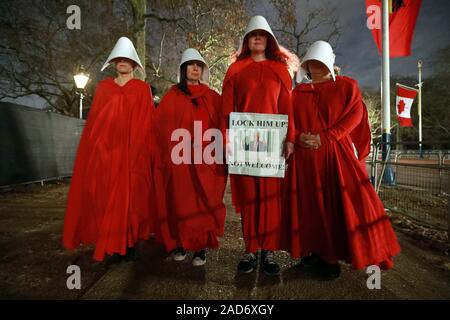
x=210, y=26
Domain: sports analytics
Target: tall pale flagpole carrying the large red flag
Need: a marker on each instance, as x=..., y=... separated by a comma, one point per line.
x=388, y=177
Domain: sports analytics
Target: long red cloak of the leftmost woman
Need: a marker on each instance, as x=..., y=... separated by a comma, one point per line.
x=110, y=197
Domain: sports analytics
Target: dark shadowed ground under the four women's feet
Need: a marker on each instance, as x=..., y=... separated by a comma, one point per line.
x=33, y=264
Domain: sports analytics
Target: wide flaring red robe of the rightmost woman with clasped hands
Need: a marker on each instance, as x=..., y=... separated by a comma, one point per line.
x=335, y=212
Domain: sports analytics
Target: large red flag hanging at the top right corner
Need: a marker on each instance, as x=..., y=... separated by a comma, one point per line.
x=402, y=21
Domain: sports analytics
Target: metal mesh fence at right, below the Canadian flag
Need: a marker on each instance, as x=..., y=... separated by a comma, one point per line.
x=413, y=183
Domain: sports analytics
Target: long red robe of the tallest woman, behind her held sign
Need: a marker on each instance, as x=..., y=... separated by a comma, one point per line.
x=259, y=87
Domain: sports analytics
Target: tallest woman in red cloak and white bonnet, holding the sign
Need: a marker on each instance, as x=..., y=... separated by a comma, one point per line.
x=259, y=82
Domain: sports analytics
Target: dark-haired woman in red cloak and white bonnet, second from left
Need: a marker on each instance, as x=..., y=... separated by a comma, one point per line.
x=191, y=212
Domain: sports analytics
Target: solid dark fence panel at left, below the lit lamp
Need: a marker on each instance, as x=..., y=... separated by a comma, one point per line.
x=36, y=145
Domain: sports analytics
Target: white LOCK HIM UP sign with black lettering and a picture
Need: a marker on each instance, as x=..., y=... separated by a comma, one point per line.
x=256, y=144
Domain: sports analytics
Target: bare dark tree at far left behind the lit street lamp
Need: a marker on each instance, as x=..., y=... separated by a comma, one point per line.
x=39, y=53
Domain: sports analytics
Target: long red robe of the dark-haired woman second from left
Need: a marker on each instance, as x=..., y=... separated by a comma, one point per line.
x=191, y=212
